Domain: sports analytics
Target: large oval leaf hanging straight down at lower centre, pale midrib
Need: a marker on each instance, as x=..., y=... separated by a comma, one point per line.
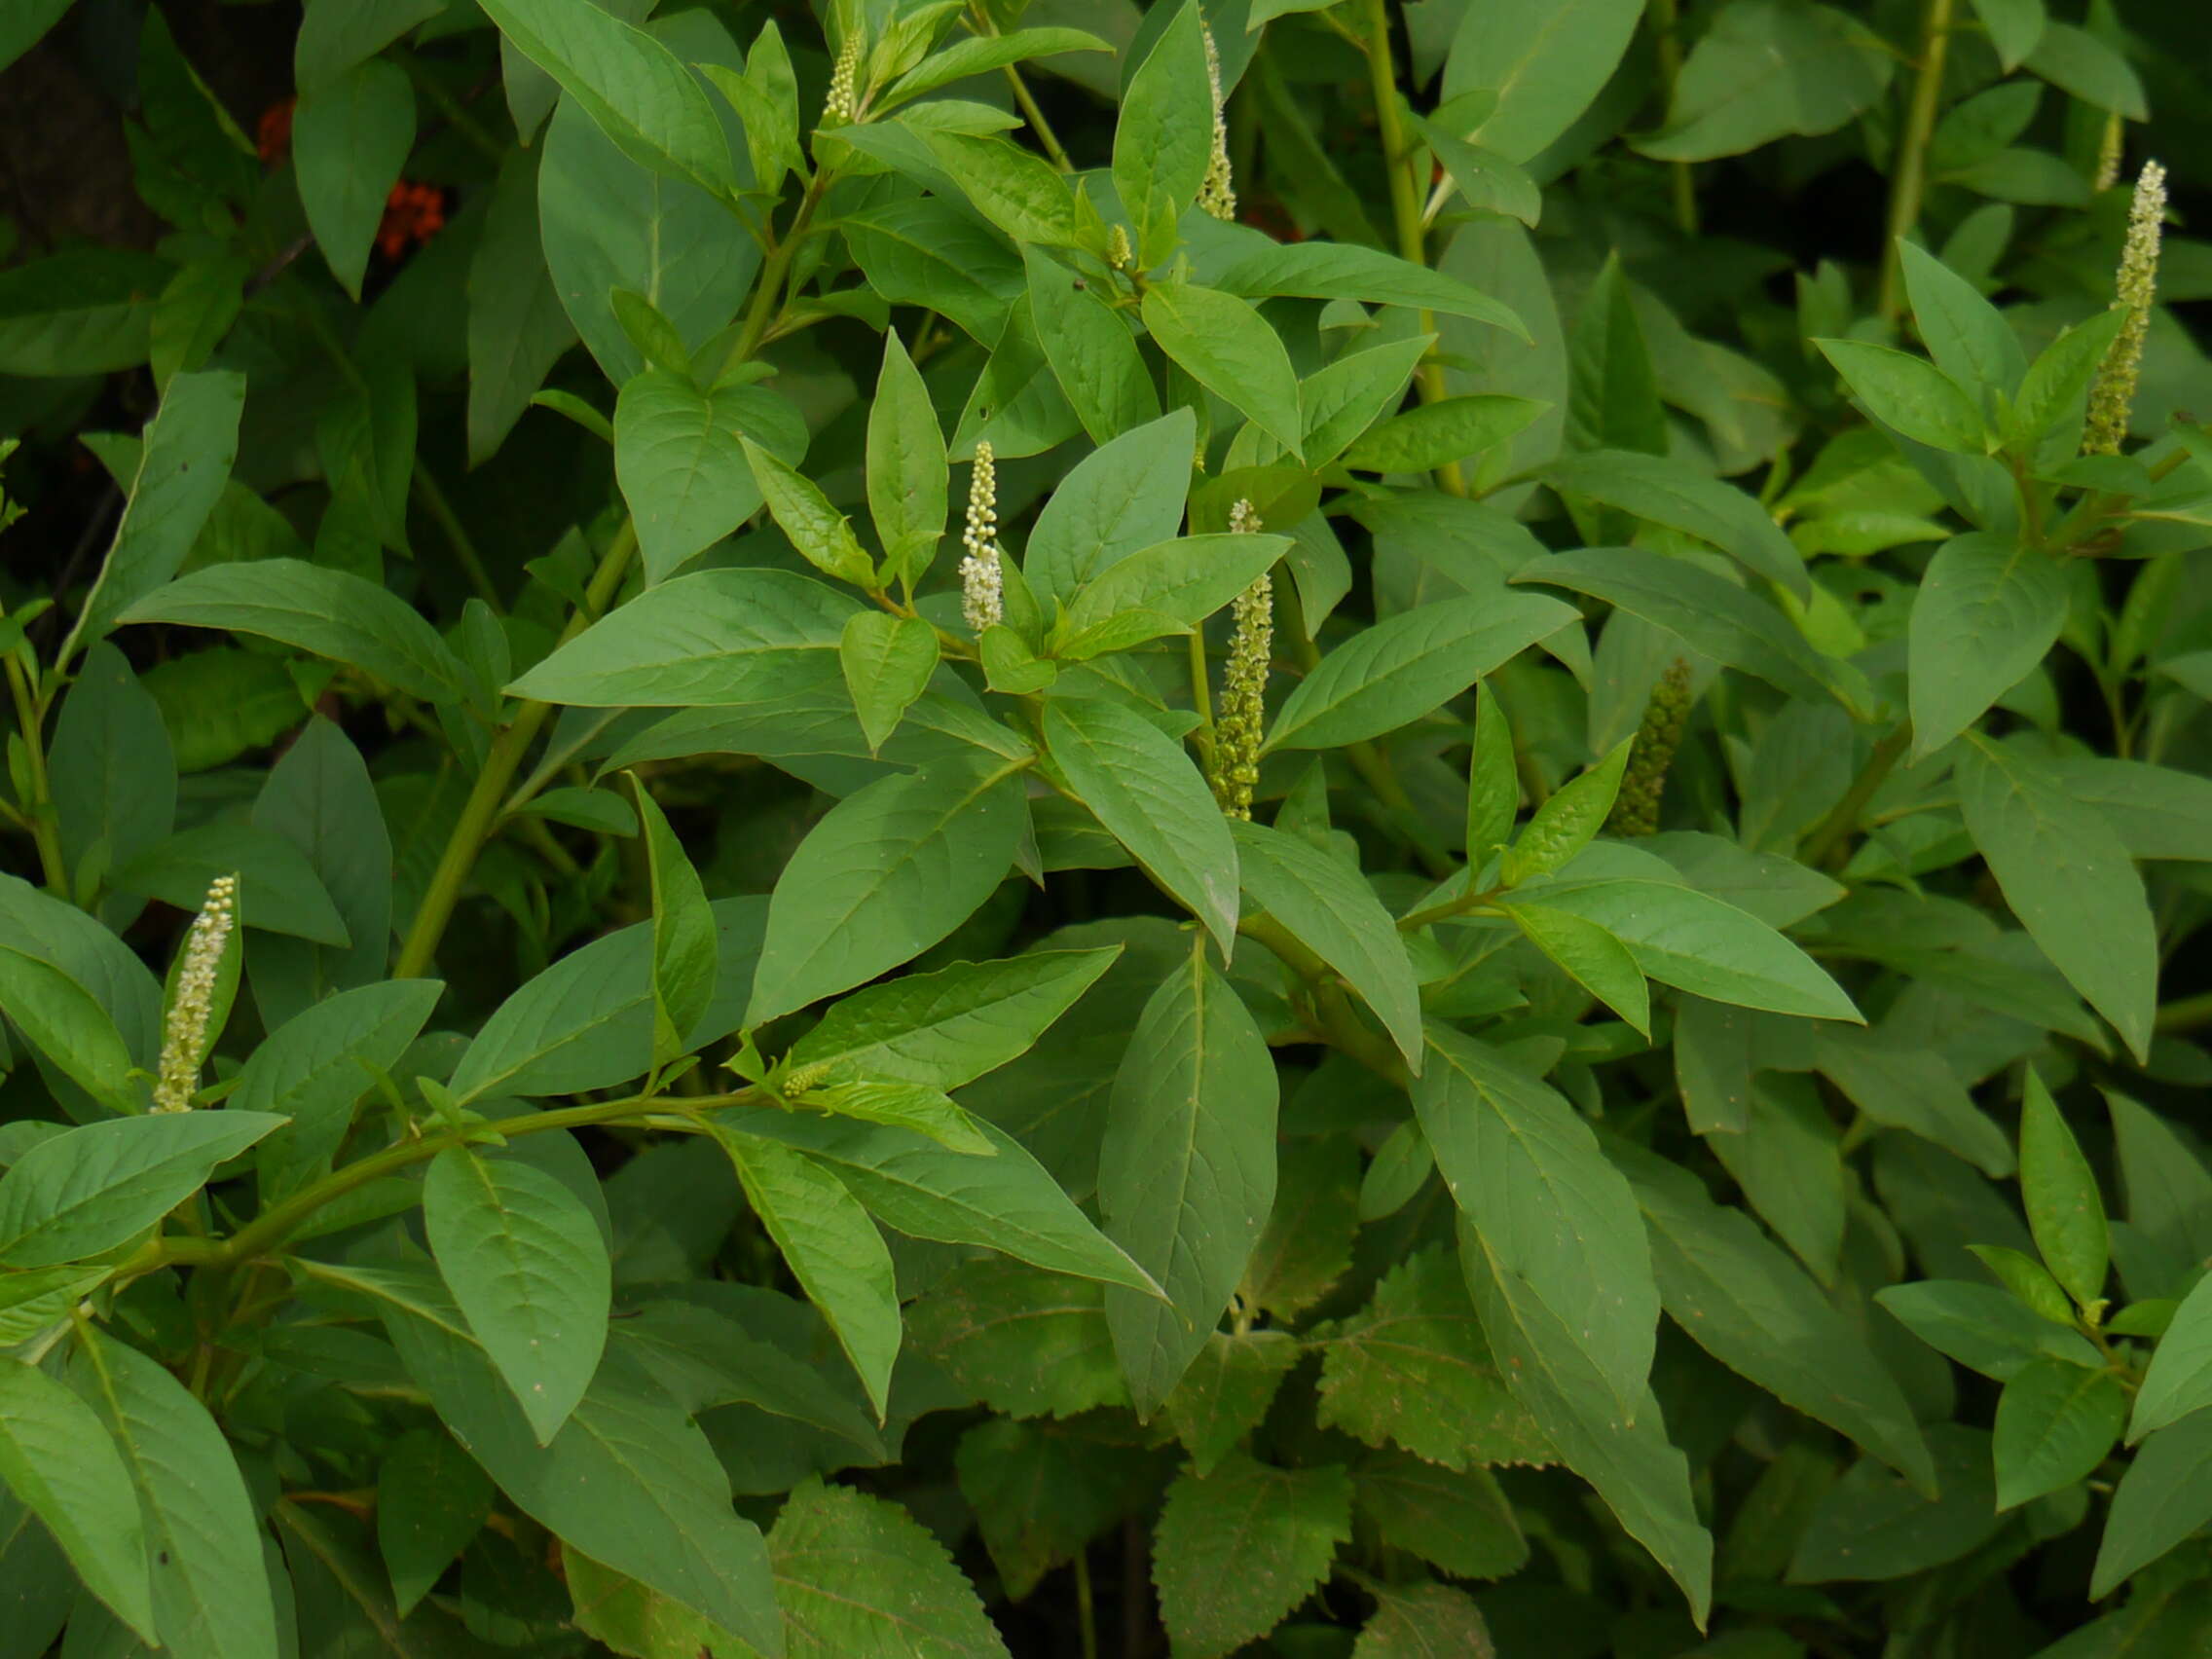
x=1187, y=1171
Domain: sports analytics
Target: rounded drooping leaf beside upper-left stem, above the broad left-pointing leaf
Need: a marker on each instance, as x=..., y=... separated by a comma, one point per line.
x=680, y=459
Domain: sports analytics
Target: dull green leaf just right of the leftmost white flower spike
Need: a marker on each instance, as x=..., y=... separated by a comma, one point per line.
x=317, y=1065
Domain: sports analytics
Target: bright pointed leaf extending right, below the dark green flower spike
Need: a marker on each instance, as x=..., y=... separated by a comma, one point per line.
x=1700, y=943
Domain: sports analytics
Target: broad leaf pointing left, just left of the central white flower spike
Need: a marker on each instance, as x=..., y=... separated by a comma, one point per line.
x=709, y=640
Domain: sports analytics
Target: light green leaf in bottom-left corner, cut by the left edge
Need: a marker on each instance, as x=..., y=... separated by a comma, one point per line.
x=59, y=1459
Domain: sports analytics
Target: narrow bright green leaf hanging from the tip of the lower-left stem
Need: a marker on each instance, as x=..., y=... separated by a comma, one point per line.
x=831, y=1246
